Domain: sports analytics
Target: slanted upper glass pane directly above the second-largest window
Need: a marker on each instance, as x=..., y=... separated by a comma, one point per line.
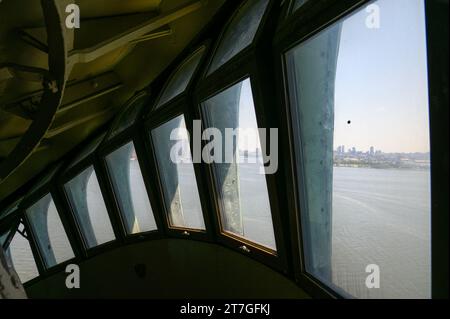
x=240, y=33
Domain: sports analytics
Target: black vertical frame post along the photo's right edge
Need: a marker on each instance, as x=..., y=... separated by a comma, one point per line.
x=436, y=15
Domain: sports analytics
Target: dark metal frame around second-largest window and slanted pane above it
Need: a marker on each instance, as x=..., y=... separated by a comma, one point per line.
x=250, y=63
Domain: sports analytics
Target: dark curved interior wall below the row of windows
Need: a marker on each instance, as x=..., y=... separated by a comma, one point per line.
x=175, y=268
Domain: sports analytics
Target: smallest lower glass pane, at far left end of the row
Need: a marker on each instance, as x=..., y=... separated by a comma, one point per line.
x=22, y=258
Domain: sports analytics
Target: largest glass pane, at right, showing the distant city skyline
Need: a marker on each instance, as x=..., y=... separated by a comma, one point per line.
x=360, y=103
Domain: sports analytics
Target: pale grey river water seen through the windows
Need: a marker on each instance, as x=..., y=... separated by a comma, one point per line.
x=379, y=217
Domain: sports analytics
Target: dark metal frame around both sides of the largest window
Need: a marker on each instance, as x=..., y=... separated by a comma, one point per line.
x=308, y=21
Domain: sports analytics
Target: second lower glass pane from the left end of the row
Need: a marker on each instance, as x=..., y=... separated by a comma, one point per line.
x=49, y=231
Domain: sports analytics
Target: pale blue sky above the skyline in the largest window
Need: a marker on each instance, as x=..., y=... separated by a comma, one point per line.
x=381, y=82
